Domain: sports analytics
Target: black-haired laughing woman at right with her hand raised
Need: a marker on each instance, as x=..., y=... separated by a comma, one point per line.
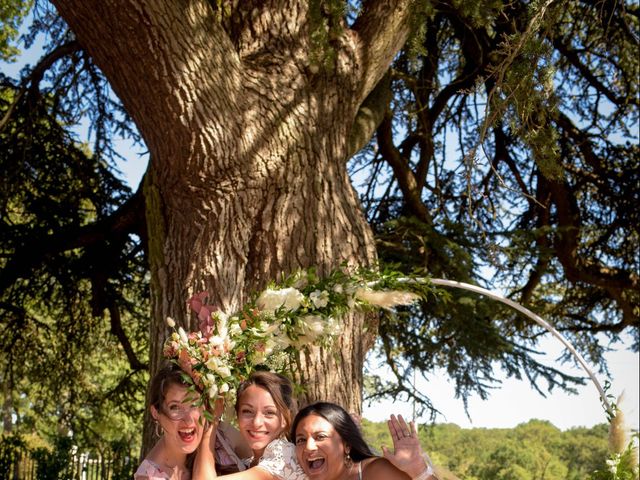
x=329, y=446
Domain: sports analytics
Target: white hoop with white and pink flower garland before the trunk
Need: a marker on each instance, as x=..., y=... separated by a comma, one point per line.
x=302, y=310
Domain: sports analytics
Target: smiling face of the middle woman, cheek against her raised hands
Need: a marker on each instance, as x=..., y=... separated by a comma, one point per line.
x=259, y=420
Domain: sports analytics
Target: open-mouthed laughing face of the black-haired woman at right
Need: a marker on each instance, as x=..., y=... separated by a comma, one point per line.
x=319, y=449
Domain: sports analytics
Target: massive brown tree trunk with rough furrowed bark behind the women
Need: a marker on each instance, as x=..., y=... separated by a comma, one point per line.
x=248, y=125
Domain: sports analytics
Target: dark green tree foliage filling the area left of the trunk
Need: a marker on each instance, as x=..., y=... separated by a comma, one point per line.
x=64, y=370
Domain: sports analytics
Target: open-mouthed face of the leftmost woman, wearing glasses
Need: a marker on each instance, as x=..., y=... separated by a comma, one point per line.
x=180, y=420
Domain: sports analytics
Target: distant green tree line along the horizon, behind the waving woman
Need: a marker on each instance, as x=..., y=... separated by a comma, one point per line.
x=532, y=450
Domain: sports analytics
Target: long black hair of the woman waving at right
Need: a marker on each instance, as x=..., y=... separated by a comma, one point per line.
x=342, y=422
